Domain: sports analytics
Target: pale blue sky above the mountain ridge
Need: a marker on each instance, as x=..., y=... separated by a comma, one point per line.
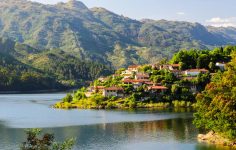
x=208, y=12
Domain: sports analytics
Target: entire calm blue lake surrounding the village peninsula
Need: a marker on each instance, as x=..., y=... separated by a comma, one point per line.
x=97, y=129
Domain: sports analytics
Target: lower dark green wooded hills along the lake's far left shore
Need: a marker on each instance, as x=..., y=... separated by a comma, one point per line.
x=23, y=68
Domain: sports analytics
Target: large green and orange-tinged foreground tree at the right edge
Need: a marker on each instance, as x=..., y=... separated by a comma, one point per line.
x=216, y=105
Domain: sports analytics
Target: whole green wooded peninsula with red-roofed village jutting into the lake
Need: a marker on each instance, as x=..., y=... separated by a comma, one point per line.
x=164, y=84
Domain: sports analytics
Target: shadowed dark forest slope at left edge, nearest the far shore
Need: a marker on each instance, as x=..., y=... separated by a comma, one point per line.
x=17, y=76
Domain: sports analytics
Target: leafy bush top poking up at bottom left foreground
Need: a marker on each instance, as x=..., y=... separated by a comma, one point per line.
x=46, y=142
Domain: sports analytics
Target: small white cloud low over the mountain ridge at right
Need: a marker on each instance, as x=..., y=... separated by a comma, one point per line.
x=222, y=22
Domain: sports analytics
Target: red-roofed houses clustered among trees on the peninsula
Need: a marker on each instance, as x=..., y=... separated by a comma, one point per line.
x=132, y=76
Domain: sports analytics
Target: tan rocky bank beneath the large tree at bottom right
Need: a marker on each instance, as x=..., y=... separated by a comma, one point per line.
x=216, y=139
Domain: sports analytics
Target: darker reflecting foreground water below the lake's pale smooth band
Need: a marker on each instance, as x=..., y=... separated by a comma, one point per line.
x=176, y=133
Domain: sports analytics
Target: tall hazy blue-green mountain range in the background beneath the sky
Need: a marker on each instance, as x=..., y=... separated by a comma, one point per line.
x=100, y=35
